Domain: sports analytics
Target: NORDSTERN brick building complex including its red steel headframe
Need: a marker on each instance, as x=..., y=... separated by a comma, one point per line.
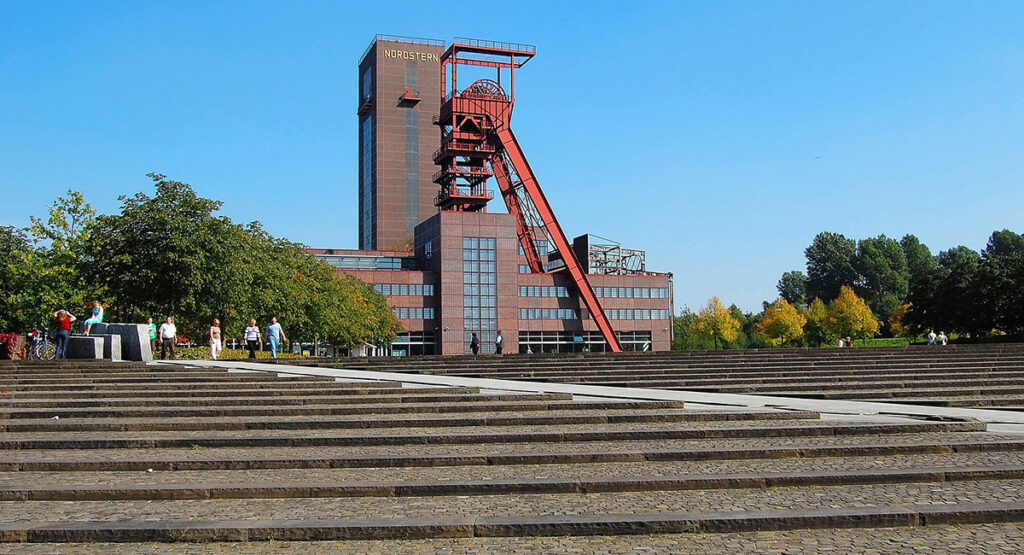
x=429, y=149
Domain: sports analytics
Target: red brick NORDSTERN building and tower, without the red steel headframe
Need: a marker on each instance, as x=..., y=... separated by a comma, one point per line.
x=465, y=272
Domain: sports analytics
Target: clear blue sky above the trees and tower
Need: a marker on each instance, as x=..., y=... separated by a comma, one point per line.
x=719, y=137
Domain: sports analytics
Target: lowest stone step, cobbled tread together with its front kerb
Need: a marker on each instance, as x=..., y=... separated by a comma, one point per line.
x=902, y=504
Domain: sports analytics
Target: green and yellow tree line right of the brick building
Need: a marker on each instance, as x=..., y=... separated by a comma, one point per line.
x=876, y=286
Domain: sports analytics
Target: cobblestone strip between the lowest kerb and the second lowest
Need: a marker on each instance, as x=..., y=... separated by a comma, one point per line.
x=899, y=495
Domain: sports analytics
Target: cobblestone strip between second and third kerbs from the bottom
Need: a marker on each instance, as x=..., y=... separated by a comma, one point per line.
x=616, y=471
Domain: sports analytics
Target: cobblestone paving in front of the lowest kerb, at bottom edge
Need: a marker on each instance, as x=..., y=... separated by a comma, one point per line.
x=988, y=539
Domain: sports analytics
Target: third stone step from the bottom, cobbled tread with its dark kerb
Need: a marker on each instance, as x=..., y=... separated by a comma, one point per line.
x=633, y=451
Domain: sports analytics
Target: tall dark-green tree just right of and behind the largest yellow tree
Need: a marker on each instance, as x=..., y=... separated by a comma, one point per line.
x=884, y=275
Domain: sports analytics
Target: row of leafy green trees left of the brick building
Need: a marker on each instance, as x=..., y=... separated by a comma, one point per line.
x=170, y=254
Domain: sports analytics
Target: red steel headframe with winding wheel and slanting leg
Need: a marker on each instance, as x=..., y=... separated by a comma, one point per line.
x=476, y=134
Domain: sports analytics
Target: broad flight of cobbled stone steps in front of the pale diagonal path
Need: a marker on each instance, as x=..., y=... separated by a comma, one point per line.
x=101, y=452
